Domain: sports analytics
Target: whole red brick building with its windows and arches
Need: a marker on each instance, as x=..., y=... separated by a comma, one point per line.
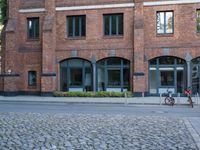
x=101, y=45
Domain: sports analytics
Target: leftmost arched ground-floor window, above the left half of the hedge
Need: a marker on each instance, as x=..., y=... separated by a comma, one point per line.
x=76, y=75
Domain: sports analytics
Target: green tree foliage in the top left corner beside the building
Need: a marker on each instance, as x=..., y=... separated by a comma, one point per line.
x=3, y=11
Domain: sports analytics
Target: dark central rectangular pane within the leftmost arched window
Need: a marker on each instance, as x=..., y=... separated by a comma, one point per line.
x=76, y=77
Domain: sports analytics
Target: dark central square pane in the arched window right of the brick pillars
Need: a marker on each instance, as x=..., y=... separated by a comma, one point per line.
x=167, y=77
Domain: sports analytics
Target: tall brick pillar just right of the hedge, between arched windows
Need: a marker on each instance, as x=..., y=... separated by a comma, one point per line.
x=138, y=75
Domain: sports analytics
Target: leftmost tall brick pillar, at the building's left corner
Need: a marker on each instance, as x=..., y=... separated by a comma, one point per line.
x=9, y=75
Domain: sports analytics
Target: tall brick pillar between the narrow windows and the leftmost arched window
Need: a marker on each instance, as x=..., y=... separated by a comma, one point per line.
x=48, y=79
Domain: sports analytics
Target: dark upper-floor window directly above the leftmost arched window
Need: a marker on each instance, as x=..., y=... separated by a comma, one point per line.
x=76, y=26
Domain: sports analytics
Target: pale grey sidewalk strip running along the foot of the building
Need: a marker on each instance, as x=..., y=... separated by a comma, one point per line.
x=132, y=100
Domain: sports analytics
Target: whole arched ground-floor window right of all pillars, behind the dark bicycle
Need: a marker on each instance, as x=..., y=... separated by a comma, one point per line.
x=167, y=73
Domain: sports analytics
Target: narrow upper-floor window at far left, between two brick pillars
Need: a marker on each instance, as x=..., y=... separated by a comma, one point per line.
x=33, y=28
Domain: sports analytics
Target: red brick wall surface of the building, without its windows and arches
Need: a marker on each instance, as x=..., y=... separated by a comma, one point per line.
x=139, y=43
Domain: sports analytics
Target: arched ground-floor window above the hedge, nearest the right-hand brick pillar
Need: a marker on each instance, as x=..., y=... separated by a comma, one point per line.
x=113, y=74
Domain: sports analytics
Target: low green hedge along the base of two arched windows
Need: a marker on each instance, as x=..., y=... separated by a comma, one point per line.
x=92, y=94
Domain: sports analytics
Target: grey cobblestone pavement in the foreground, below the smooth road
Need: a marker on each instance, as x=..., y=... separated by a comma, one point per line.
x=92, y=132
